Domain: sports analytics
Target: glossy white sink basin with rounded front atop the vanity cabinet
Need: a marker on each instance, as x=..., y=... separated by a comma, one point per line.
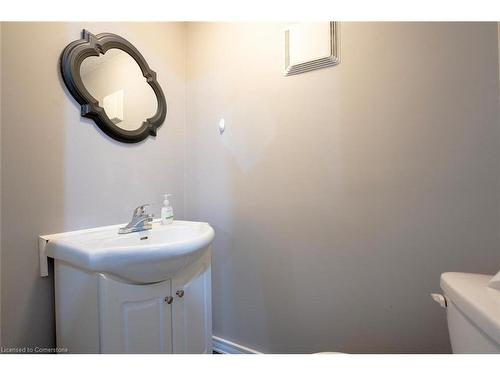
x=141, y=257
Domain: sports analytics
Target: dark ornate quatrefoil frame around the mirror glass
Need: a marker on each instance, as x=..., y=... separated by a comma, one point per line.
x=94, y=45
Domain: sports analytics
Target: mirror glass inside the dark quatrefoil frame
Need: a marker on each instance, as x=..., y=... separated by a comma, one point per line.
x=116, y=81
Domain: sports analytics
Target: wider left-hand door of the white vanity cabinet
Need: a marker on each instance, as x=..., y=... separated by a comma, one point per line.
x=134, y=318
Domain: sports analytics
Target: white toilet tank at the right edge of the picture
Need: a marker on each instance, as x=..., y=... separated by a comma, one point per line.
x=473, y=312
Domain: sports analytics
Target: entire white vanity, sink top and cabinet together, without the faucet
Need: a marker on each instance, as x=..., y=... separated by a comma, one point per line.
x=142, y=292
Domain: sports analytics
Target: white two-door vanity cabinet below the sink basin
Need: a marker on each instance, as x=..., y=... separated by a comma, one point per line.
x=99, y=313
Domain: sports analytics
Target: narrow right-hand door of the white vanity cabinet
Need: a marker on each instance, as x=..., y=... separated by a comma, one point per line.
x=192, y=308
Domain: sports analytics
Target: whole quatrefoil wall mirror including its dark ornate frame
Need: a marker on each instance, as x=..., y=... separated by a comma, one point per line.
x=114, y=86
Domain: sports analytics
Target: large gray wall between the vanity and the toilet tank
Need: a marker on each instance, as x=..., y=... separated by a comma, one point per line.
x=339, y=196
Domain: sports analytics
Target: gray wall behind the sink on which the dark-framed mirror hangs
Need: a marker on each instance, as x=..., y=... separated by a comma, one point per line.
x=59, y=172
